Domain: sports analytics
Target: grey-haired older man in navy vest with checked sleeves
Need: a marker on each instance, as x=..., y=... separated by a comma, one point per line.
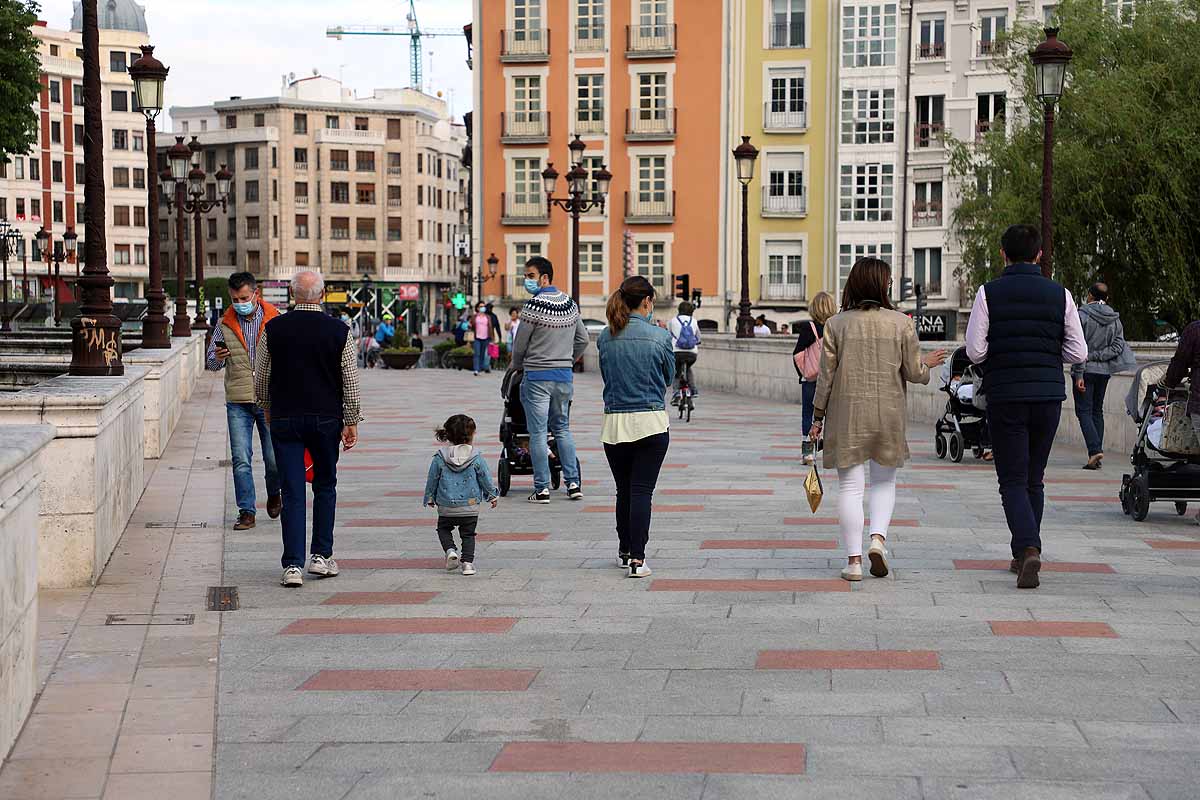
x=307, y=378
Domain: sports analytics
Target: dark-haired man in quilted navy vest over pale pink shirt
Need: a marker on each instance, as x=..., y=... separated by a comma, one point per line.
x=1024, y=328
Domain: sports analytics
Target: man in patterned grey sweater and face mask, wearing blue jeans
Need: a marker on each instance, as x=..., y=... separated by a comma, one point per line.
x=549, y=342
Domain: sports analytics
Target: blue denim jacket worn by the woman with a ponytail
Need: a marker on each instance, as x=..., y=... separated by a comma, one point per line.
x=638, y=366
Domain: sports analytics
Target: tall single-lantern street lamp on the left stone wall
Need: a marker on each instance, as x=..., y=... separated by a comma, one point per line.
x=149, y=76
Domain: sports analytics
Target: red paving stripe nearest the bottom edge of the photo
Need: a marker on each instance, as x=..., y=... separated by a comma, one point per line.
x=651, y=757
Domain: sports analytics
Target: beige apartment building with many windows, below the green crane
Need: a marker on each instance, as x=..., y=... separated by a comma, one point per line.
x=350, y=187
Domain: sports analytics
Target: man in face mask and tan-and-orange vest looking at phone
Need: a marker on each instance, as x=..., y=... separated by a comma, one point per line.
x=233, y=346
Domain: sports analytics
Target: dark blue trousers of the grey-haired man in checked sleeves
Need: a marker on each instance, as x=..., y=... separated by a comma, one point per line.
x=321, y=436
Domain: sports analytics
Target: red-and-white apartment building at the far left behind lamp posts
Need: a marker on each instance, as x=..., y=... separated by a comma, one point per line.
x=45, y=187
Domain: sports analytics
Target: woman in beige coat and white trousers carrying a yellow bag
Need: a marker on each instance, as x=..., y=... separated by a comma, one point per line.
x=871, y=352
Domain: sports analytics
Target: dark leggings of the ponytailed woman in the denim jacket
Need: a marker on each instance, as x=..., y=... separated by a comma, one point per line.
x=635, y=468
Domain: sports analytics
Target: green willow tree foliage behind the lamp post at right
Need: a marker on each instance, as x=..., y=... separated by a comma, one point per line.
x=1126, y=164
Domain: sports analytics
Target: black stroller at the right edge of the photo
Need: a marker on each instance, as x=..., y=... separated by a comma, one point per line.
x=1166, y=465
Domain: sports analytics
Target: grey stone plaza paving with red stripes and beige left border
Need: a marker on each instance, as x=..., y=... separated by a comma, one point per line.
x=742, y=670
